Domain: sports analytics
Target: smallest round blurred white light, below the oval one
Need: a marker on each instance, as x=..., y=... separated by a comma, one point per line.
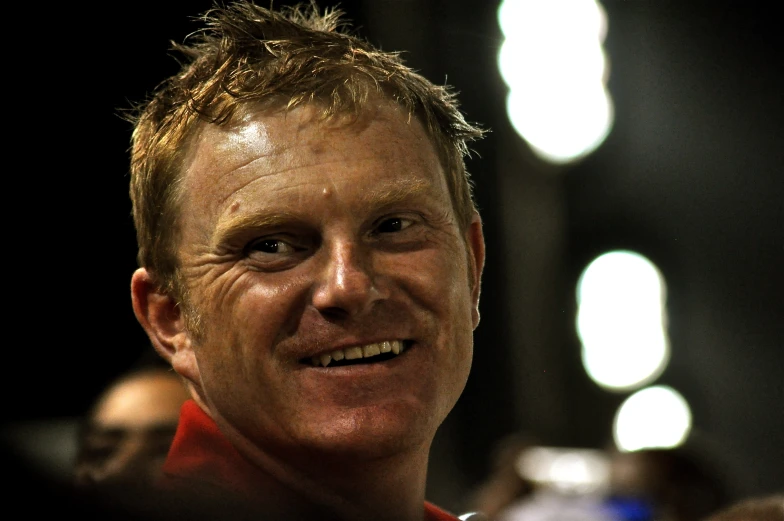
x=654, y=417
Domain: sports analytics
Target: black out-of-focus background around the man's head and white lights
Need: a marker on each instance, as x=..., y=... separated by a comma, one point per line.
x=690, y=176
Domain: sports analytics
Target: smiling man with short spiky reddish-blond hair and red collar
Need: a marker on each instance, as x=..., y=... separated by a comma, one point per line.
x=310, y=263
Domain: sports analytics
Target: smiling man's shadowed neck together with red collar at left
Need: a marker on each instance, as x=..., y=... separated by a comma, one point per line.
x=295, y=482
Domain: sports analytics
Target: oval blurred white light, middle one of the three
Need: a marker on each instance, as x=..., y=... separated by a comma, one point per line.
x=622, y=321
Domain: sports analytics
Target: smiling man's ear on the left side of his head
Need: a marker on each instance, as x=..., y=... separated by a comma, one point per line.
x=161, y=317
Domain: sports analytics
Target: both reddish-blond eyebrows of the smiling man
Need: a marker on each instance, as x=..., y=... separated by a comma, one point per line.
x=382, y=197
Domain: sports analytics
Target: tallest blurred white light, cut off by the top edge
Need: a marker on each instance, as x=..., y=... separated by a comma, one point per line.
x=554, y=64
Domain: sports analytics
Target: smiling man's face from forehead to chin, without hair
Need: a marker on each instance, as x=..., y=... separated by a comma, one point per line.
x=304, y=241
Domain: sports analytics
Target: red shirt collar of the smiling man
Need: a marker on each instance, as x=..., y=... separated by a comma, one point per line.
x=201, y=453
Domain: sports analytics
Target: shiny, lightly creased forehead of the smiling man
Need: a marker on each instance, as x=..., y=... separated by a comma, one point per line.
x=382, y=145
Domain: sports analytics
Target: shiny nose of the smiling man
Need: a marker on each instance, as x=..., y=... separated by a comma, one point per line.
x=348, y=284
